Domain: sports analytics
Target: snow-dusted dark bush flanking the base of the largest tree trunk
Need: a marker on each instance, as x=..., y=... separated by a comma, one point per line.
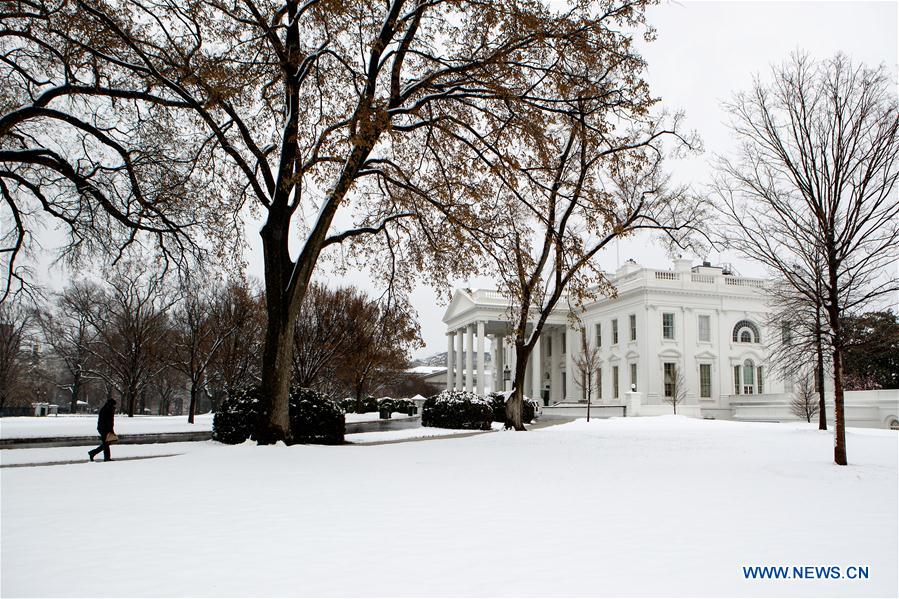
x=314, y=418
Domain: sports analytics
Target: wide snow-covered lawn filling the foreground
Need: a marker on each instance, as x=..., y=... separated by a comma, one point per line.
x=639, y=506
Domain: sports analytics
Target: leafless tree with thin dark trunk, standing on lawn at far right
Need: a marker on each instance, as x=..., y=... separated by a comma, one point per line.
x=815, y=182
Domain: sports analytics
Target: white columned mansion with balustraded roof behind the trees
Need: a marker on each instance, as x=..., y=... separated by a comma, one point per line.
x=700, y=320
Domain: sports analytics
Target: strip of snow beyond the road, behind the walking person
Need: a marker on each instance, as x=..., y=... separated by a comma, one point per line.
x=86, y=425
